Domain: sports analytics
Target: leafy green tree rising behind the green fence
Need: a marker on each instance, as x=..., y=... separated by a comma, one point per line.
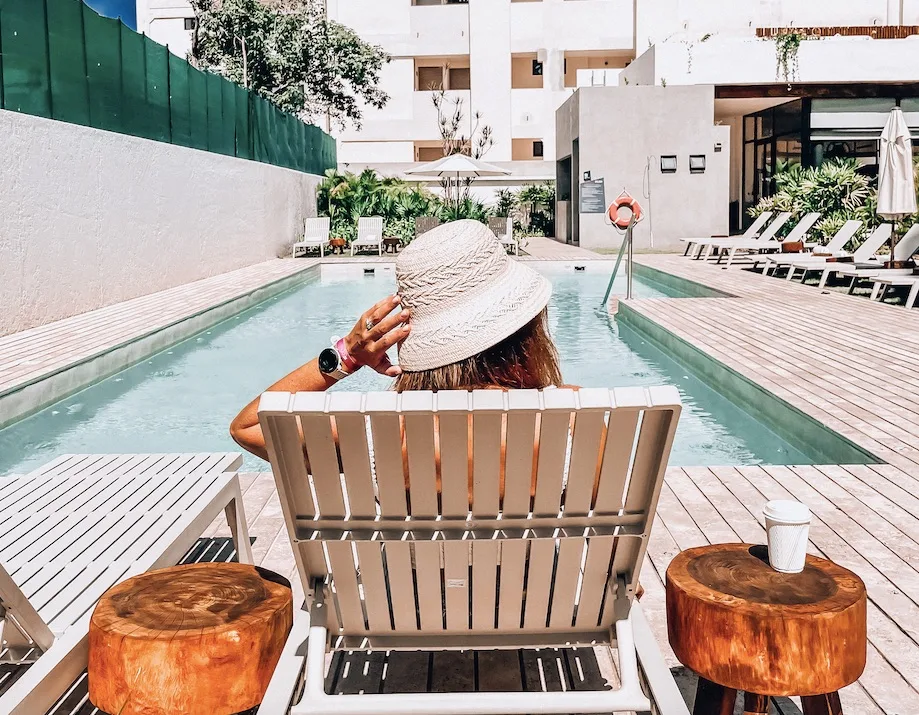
x=291, y=54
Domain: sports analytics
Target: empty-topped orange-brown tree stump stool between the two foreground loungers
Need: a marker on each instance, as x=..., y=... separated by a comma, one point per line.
x=201, y=639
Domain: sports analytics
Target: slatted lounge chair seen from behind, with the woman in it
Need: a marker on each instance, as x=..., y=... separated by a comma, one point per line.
x=436, y=559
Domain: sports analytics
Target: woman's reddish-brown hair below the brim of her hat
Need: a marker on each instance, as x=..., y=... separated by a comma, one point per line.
x=526, y=359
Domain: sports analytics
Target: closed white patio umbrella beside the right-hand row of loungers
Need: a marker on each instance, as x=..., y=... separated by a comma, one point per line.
x=896, y=185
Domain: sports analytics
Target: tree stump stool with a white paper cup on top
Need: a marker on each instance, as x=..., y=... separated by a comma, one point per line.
x=740, y=625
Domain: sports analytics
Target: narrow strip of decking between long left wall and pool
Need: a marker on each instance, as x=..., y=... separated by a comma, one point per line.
x=31, y=354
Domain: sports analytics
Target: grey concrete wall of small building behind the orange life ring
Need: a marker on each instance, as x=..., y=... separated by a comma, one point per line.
x=622, y=132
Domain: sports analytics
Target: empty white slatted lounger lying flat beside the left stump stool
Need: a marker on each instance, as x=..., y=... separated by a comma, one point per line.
x=74, y=528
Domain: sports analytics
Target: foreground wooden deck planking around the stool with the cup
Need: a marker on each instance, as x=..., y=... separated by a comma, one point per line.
x=865, y=518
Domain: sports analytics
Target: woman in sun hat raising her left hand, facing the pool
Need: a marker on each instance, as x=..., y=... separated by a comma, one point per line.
x=465, y=317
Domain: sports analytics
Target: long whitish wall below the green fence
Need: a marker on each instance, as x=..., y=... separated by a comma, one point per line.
x=92, y=218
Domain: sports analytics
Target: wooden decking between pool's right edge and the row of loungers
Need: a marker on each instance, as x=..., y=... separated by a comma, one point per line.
x=844, y=360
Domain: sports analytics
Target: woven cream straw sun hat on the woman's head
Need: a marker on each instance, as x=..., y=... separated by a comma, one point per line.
x=465, y=294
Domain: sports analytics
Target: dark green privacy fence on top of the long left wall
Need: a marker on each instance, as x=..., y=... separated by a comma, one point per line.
x=61, y=60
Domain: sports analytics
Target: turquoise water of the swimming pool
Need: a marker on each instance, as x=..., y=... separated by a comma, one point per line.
x=182, y=400
